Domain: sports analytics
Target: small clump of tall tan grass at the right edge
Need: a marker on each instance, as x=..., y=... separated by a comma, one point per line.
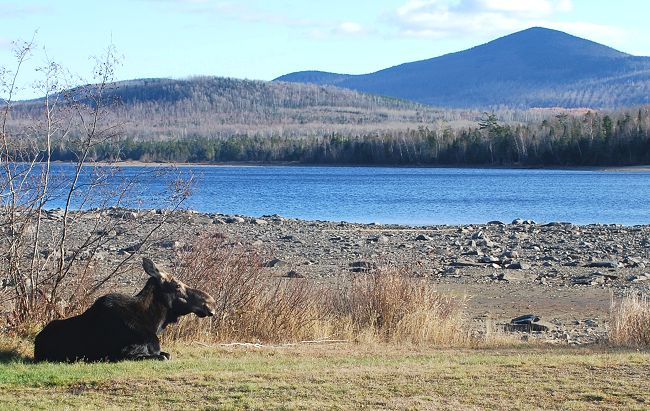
x=630, y=321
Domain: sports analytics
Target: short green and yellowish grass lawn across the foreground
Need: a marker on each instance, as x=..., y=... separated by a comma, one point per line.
x=338, y=377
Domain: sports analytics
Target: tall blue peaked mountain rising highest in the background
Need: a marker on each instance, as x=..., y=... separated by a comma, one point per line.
x=537, y=67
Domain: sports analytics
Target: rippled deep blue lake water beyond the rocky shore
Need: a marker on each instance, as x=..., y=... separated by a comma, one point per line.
x=416, y=196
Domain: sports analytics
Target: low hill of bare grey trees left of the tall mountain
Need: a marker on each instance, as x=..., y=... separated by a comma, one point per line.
x=223, y=107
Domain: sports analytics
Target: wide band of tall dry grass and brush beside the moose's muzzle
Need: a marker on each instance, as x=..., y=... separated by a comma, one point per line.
x=384, y=305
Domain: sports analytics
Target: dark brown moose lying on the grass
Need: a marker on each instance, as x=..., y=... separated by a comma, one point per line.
x=120, y=327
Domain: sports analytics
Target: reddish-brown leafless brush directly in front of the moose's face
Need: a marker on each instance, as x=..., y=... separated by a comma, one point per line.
x=251, y=305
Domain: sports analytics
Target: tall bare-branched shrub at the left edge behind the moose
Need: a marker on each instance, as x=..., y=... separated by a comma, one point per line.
x=45, y=273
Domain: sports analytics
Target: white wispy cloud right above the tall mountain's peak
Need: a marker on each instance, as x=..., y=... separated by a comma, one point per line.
x=468, y=18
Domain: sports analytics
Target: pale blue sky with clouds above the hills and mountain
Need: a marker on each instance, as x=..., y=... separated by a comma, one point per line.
x=263, y=40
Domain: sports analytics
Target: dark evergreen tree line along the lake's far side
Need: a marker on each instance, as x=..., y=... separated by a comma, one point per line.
x=590, y=139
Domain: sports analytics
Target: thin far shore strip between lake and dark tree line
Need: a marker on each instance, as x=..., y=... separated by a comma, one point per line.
x=636, y=168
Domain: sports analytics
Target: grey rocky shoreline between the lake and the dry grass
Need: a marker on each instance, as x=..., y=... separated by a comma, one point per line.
x=567, y=274
